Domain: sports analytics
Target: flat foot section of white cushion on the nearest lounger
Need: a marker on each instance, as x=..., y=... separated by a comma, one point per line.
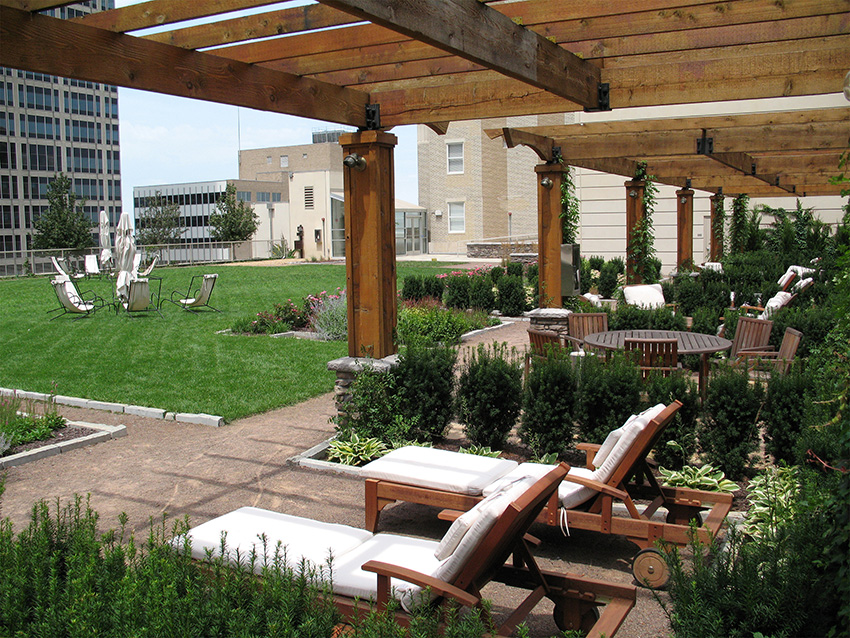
x=303, y=538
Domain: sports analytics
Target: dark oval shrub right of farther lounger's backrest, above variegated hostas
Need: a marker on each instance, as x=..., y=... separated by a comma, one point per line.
x=729, y=432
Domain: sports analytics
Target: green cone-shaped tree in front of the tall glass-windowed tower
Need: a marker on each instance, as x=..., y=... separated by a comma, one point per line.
x=64, y=224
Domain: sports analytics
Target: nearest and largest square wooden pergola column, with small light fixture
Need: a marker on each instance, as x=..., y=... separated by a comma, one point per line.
x=370, y=244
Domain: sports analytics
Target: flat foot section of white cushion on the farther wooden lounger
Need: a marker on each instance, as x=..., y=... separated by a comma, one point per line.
x=438, y=469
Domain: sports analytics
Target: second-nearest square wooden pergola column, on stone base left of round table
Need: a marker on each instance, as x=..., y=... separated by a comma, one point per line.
x=549, y=178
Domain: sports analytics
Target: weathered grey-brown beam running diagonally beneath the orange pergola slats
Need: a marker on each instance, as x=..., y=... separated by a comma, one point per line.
x=478, y=33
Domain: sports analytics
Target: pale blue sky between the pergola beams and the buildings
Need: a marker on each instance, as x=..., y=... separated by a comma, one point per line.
x=166, y=139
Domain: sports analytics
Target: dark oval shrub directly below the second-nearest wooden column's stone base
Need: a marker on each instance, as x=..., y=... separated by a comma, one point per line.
x=549, y=404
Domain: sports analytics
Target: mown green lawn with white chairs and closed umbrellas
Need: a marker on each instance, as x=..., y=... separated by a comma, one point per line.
x=176, y=362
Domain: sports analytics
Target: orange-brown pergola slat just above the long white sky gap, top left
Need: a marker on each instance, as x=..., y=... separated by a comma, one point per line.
x=156, y=13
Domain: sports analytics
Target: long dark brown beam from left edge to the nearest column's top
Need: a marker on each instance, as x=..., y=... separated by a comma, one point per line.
x=59, y=47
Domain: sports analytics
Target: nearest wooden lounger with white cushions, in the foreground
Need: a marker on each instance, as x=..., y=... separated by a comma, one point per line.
x=378, y=567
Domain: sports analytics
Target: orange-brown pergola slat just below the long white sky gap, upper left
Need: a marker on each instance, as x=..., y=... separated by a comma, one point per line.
x=272, y=23
